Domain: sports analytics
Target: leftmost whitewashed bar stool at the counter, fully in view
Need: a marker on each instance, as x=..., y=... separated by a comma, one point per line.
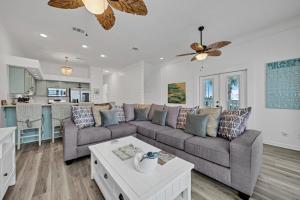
x=29, y=116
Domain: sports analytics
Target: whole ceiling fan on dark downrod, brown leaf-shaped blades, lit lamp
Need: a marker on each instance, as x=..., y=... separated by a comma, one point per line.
x=202, y=51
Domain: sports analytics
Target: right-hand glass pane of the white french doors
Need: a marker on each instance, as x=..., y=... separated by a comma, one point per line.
x=233, y=92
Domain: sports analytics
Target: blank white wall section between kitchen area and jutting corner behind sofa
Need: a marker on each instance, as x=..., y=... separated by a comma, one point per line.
x=126, y=85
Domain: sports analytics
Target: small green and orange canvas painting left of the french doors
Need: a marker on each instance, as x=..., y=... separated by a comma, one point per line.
x=177, y=93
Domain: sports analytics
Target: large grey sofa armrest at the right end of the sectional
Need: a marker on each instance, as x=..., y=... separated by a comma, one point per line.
x=245, y=160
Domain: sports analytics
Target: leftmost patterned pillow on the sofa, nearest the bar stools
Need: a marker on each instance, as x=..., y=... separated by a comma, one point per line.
x=82, y=116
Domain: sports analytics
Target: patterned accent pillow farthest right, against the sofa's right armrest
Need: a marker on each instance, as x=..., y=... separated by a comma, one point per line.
x=232, y=122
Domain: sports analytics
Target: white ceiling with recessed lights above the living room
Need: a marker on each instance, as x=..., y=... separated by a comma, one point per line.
x=167, y=30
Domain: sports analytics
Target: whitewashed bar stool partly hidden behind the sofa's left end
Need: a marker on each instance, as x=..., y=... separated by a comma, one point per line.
x=60, y=112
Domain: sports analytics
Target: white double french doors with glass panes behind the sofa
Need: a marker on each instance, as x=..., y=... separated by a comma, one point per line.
x=228, y=90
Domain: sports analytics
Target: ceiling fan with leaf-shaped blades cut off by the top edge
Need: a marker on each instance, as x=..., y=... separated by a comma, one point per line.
x=102, y=9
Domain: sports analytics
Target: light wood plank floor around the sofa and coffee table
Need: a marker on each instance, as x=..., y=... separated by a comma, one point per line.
x=42, y=174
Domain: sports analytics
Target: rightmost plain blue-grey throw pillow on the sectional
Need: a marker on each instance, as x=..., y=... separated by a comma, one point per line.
x=196, y=124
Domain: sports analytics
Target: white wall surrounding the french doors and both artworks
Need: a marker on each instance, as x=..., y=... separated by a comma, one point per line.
x=274, y=44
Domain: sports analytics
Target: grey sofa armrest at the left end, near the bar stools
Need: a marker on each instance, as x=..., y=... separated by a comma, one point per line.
x=70, y=132
